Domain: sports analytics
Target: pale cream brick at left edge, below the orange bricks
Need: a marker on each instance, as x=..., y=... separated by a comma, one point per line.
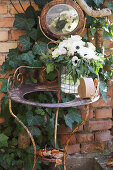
x=5, y=46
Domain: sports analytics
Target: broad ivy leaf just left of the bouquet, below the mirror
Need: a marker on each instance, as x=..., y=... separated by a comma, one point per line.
x=39, y=48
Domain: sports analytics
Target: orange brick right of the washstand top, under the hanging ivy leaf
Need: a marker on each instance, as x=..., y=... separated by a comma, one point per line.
x=102, y=103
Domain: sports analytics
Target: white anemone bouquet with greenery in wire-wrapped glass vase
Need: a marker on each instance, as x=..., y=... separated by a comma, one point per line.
x=77, y=59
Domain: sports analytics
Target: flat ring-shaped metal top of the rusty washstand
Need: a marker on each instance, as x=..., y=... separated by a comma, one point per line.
x=17, y=94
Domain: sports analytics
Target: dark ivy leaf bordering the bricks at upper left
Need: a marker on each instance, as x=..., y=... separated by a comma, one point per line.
x=25, y=40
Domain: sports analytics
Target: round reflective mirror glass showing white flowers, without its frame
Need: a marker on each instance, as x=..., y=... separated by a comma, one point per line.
x=62, y=19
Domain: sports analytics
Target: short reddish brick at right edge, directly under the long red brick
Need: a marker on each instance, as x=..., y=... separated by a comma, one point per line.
x=102, y=136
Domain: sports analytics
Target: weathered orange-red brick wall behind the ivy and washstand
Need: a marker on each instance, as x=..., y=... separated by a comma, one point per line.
x=95, y=134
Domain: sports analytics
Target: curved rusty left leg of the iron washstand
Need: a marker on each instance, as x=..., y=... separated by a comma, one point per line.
x=33, y=142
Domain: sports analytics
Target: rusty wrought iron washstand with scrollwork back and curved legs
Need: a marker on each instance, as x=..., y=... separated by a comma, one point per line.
x=17, y=93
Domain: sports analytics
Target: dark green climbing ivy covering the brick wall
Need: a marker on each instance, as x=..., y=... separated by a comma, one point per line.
x=39, y=120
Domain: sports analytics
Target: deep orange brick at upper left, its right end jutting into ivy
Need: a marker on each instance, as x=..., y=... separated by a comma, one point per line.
x=16, y=33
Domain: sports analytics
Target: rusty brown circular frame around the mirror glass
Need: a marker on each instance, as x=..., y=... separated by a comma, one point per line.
x=46, y=8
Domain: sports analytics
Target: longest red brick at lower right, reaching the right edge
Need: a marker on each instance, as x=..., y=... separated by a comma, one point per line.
x=98, y=125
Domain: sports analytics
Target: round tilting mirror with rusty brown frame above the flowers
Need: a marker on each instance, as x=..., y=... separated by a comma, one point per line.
x=60, y=18
